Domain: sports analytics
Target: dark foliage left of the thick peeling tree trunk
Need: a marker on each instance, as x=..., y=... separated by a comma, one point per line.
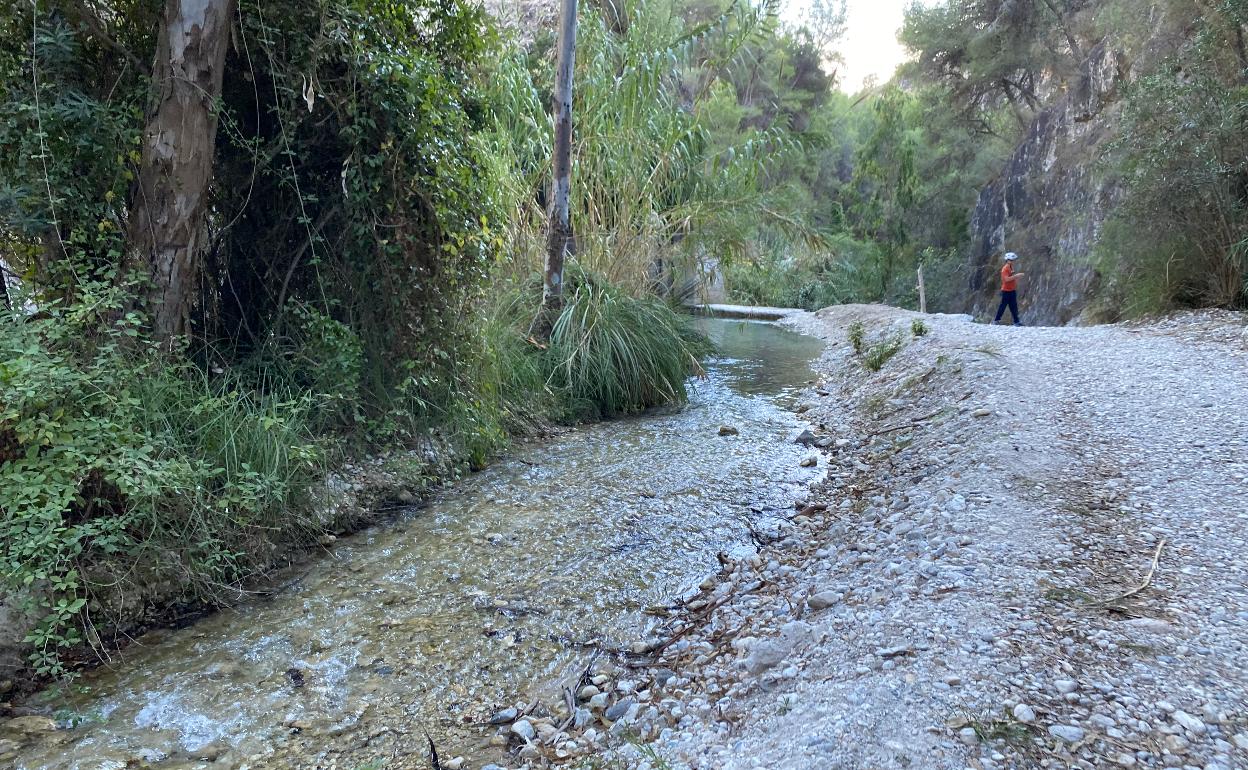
x=69, y=139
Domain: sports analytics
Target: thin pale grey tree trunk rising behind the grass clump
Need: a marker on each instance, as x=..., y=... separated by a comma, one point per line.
x=560, y=227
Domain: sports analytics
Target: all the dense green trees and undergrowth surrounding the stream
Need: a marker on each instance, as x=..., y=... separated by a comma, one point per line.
x=364, y=268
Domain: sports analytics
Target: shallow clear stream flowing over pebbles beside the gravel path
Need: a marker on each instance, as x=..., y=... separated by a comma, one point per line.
x=465, y=605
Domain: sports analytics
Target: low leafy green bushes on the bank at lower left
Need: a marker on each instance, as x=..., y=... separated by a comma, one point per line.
x=120, y=470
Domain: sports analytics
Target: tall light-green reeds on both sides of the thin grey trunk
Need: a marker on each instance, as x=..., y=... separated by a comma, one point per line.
x=655, y=190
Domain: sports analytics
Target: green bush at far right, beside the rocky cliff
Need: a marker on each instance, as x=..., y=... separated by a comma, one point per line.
x=1181, y=235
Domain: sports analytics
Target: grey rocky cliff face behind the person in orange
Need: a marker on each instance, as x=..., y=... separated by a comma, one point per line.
x=1051, y=200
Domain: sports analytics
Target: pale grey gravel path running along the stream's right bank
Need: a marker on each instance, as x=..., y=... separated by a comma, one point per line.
x=972, y=598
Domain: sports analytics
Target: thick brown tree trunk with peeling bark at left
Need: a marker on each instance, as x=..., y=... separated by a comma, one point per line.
x=169, y=212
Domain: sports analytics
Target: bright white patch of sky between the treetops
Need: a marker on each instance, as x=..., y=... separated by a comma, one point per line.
x=870, y=46
